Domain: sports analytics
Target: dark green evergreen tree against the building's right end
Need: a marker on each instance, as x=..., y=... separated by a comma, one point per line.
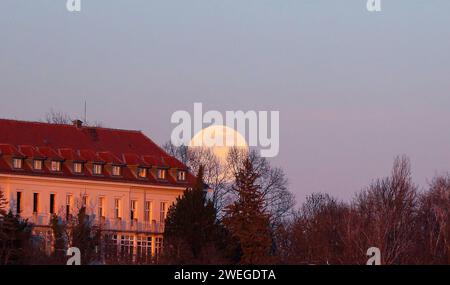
x=191, y=229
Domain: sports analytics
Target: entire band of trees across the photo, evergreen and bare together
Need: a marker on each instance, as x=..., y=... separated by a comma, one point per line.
x=250, y=219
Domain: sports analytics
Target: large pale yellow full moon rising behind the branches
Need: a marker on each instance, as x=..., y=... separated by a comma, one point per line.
x=219, y=139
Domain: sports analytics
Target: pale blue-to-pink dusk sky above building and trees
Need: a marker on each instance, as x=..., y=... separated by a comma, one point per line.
x=353, y=89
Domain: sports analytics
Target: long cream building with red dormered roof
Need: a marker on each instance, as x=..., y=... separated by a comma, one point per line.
x=125, y=181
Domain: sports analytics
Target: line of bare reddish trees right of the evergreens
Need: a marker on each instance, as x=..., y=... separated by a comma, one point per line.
x=407, y=225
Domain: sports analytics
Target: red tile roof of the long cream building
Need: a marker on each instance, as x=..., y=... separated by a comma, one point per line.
x=84, y=144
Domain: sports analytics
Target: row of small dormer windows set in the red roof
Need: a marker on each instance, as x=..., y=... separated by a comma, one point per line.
x=97, y=169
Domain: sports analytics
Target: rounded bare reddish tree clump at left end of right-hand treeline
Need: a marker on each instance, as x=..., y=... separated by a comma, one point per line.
x=314, y=236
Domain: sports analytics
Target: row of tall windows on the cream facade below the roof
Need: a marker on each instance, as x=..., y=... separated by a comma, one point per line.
x=101, y=207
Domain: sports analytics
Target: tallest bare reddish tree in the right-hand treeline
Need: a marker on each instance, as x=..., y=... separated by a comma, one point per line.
x=386, y=214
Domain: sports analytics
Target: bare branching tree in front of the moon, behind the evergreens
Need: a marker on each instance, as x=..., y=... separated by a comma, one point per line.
x=220, y=176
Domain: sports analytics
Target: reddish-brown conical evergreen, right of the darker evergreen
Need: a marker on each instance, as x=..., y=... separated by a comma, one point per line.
x=247, y=220
